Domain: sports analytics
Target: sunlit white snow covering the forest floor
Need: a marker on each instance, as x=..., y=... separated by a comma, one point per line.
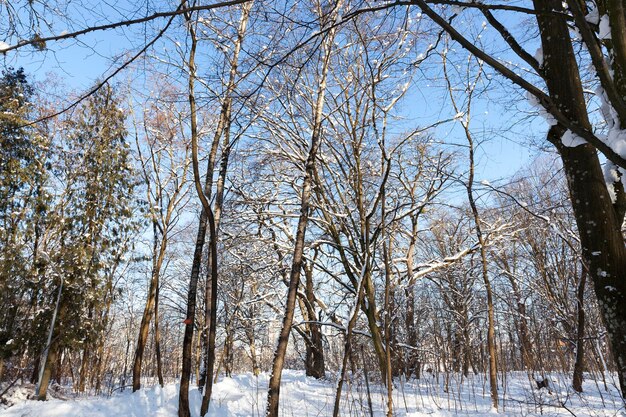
x=244, y=395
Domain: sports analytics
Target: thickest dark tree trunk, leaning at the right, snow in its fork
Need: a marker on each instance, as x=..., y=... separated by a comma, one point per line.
x=598, y=221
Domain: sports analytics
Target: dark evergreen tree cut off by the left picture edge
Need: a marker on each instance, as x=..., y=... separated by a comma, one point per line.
x=24, y=205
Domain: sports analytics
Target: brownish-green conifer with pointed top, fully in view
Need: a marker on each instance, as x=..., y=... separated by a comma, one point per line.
x=96, y=219
